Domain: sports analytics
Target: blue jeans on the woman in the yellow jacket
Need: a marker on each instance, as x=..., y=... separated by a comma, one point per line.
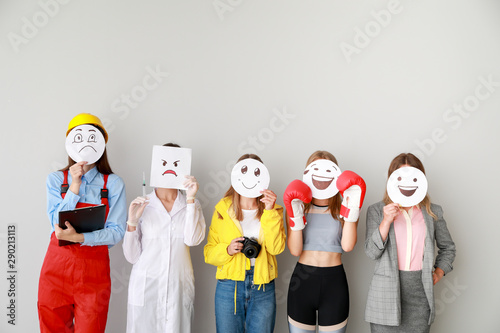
x=254, y=310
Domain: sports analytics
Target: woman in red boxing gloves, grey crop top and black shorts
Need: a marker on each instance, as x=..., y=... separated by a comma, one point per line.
x=321, y=226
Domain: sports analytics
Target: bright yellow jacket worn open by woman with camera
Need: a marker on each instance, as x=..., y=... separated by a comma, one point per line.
x=223, y=231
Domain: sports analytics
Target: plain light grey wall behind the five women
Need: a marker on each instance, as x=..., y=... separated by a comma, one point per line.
x=365, y=80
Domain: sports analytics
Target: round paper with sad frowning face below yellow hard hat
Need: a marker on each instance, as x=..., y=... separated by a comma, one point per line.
x=85, y=143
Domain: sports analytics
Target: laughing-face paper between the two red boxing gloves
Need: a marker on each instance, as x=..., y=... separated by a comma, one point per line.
x=321, y=176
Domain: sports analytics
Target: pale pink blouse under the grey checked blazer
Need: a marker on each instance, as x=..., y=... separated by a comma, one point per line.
x=410, y=232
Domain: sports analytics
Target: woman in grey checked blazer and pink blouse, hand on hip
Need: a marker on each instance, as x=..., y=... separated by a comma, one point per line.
x=402, y=300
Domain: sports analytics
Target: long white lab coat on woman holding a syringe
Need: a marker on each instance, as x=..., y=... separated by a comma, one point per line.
x=161, y=287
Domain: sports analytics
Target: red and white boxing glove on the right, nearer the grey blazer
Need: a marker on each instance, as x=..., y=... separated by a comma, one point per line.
x=351, y=186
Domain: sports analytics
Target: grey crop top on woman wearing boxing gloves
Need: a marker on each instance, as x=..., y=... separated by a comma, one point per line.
x=322, y=232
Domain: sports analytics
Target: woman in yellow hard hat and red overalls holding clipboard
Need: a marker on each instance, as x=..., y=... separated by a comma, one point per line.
x=75, y=284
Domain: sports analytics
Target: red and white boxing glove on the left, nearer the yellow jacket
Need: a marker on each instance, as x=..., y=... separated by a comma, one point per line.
x=296, y=194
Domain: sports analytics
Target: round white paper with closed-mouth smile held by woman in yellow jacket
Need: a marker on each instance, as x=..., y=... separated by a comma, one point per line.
x=249, y=177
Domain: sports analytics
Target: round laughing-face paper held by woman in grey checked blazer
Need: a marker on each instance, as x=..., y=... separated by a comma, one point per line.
x=407, y=186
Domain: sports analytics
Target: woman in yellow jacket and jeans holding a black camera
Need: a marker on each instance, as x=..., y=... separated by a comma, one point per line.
x=245, y=295
